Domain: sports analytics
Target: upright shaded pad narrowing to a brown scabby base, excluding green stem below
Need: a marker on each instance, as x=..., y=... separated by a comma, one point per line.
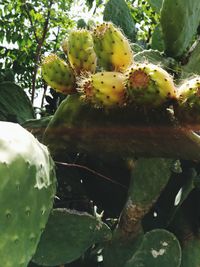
x=149, y=177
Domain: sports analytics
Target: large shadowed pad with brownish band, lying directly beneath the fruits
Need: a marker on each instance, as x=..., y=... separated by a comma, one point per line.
x=112, y=132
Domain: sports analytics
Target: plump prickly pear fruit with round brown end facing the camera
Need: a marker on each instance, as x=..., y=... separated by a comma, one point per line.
x=149, y=85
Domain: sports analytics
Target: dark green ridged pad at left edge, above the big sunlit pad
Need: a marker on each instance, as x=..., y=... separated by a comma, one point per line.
x=15, y=105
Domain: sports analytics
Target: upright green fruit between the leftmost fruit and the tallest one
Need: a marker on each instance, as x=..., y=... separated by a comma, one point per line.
x=80, y=51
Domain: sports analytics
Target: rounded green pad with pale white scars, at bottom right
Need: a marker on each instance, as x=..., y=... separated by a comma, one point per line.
x=159, y=248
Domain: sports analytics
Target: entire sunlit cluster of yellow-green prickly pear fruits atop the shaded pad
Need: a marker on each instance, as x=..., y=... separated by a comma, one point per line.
x=100, y=67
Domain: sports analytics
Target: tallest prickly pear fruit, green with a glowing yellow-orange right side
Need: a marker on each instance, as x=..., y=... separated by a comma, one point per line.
x=112, y=48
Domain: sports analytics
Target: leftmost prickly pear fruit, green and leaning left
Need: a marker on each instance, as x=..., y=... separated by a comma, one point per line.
x=58, y=74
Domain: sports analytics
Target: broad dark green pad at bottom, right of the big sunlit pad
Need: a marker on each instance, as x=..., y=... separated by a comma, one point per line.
x=68, y=235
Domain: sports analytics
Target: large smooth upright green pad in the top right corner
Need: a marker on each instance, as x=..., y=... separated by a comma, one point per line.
x=179, y=22
